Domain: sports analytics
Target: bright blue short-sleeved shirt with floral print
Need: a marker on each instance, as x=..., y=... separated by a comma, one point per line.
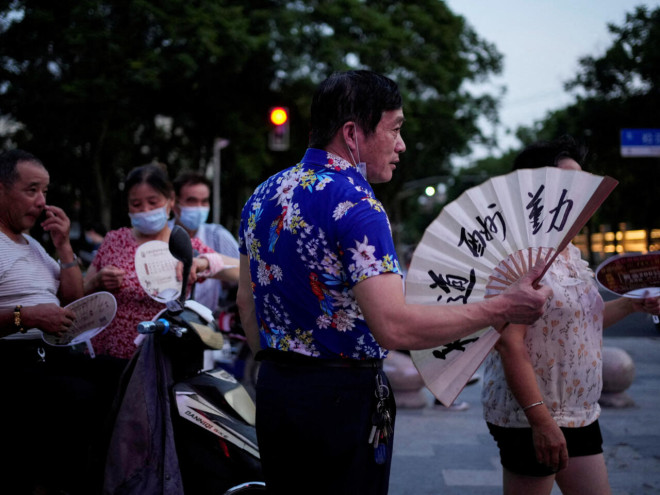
x=311, y=233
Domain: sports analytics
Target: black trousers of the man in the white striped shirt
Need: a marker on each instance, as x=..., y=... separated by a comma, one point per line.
x=53, y=410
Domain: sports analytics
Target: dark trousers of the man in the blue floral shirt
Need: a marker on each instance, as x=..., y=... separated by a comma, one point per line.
x=313, y=426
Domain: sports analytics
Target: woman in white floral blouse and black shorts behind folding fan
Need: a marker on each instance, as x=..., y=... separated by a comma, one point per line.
x=542, y=385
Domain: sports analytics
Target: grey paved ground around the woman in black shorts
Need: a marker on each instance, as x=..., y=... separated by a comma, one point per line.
x=438, y=452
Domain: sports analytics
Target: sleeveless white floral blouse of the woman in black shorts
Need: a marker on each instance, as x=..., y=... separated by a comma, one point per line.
x=565, y=347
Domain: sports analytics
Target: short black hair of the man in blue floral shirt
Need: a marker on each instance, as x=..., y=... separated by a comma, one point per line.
x=360, y=96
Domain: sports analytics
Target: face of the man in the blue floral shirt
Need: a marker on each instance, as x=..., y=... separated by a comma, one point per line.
x=380, y=151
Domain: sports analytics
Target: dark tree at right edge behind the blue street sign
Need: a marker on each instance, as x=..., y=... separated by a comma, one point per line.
x=618, y=89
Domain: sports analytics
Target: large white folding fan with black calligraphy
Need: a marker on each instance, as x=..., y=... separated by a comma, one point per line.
x=484, y=241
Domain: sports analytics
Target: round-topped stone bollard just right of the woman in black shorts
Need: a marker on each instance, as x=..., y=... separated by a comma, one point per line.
x=618, y=375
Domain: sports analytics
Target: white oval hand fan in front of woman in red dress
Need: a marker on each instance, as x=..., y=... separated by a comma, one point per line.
x=156, y=270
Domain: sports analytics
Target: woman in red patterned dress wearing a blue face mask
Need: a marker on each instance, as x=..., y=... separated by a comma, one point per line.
x=150, y=199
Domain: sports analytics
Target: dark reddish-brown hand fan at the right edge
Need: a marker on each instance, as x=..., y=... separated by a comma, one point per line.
x=631, y=275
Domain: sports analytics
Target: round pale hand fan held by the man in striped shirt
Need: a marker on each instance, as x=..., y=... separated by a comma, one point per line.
x=93, y=313
